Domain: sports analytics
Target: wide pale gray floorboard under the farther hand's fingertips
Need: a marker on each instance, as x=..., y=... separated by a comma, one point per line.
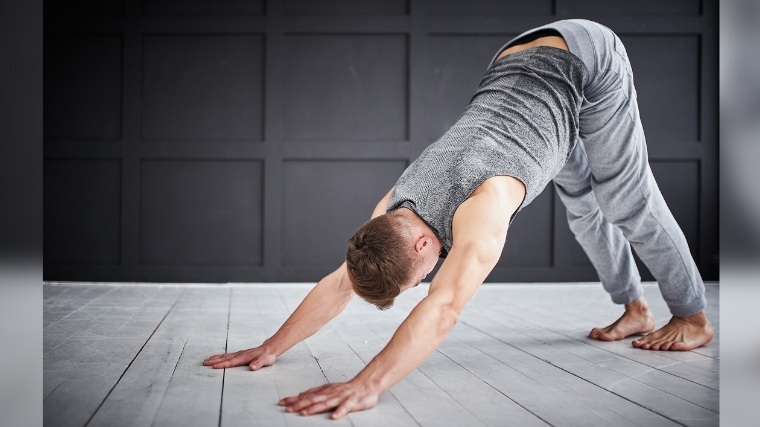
x=167, y=376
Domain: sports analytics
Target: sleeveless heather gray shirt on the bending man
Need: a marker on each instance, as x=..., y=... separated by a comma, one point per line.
x=522, y=122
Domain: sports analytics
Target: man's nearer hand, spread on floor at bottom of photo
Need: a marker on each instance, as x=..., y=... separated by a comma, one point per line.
x=346, y=397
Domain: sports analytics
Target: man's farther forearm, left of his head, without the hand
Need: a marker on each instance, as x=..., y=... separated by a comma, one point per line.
x=325, y=301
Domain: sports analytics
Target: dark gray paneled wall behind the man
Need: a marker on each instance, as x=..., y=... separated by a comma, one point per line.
x=246, y=140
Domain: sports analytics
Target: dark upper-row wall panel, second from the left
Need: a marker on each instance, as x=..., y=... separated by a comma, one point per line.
x=202, y=87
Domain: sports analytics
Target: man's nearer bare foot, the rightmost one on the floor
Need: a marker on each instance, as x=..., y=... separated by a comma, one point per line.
x=680, y=334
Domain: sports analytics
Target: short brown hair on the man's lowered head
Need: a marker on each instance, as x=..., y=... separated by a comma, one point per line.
x=380, y=258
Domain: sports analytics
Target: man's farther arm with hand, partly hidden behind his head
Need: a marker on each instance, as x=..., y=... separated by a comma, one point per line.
x=325, y=301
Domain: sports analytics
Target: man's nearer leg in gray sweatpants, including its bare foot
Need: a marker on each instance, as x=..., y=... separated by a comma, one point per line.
x=628, y=195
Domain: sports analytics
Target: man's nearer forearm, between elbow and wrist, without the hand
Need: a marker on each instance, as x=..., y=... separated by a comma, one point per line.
x=417, y=337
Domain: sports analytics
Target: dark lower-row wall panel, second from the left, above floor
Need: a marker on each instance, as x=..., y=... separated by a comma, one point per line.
x=201, y=212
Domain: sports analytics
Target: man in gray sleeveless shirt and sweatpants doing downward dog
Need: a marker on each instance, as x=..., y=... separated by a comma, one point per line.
x=557, y=103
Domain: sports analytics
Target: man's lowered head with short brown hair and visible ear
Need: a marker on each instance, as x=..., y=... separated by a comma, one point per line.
x=390, y=254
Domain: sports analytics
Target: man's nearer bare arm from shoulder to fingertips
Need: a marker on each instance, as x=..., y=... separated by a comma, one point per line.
x=480, y=228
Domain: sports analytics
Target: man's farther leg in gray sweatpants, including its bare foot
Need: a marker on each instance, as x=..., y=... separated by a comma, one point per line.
x=606, y=247
